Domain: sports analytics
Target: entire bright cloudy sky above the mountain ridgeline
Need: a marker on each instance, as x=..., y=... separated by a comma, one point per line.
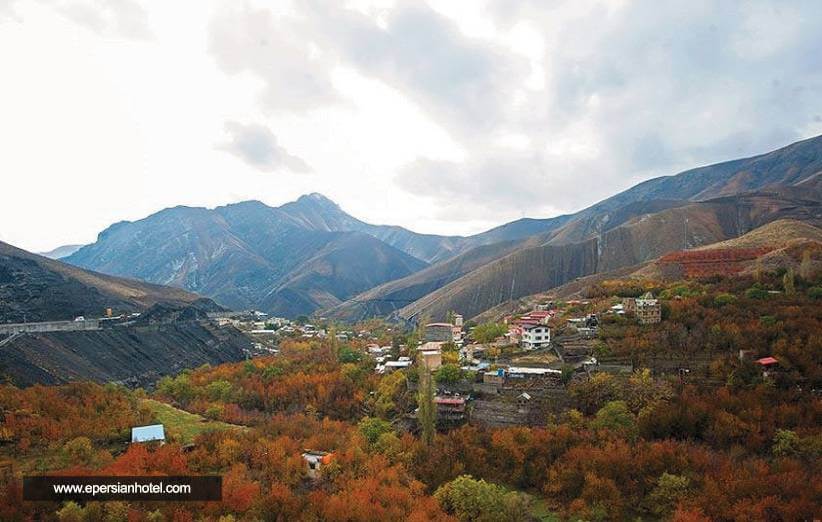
x=449, y=116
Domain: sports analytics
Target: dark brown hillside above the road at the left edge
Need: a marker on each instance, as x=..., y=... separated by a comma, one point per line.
x=35, y=288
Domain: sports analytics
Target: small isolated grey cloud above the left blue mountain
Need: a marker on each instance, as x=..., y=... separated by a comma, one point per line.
x=257, y=146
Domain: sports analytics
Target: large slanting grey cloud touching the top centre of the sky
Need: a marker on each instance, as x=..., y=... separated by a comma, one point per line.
x=465, y=84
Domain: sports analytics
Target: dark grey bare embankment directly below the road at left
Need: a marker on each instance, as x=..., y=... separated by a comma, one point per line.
x=135, y=356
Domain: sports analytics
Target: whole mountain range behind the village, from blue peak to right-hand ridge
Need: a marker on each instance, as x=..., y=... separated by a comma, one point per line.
x=310, y=256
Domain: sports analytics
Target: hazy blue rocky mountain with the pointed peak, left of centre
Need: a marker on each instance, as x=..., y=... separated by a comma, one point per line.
x=249, y=255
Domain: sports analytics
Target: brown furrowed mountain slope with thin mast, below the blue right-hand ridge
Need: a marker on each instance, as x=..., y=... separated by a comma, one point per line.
x=533, y=269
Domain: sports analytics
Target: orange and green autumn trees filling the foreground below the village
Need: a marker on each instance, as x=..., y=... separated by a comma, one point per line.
x=723, y=442
